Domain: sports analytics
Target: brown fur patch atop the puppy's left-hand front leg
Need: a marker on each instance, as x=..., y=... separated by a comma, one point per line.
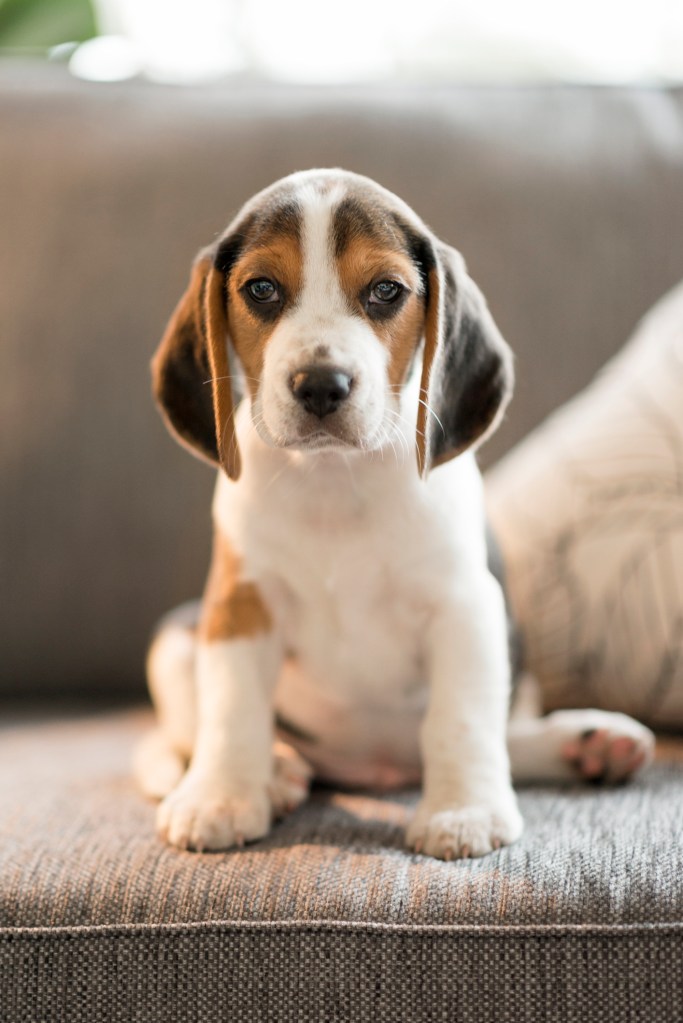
x=233, y=608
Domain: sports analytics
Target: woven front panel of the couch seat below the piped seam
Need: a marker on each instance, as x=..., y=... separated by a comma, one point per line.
x=337, y=974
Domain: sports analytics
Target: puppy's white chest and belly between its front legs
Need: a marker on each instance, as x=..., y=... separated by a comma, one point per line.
x=352, y=562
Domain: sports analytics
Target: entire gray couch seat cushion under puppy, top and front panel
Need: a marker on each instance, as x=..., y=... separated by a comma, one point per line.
x=590, y=900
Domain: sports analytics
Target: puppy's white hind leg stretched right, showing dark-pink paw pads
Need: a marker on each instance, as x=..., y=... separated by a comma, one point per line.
x=578, y=745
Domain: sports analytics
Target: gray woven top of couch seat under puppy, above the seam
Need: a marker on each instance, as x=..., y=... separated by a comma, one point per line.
x=78, y=849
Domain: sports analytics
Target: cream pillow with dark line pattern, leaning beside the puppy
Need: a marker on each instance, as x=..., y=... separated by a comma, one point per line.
x=589, y=514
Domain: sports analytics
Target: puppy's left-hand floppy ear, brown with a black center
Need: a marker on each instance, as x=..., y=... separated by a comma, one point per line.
x=192, y=374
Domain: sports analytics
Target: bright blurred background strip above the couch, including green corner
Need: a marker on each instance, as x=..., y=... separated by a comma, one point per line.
x=175, y=41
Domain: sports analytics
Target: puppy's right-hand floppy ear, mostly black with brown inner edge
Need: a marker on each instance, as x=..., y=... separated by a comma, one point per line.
x=468, y=374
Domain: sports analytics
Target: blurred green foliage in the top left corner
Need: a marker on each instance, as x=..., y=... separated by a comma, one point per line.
x=41, y=24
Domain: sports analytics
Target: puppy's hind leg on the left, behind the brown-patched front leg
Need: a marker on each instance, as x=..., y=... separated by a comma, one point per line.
x=162, y=758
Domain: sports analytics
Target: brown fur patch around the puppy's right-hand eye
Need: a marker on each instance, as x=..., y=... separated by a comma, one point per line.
x=365, y=263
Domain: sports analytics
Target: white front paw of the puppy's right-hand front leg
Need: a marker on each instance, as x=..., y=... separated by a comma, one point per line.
x=461, y=832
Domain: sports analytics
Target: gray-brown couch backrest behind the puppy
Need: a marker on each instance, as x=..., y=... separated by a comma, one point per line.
x=566, y=203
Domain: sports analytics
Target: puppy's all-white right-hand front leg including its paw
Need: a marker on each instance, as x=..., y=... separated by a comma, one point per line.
x=469, y=808
